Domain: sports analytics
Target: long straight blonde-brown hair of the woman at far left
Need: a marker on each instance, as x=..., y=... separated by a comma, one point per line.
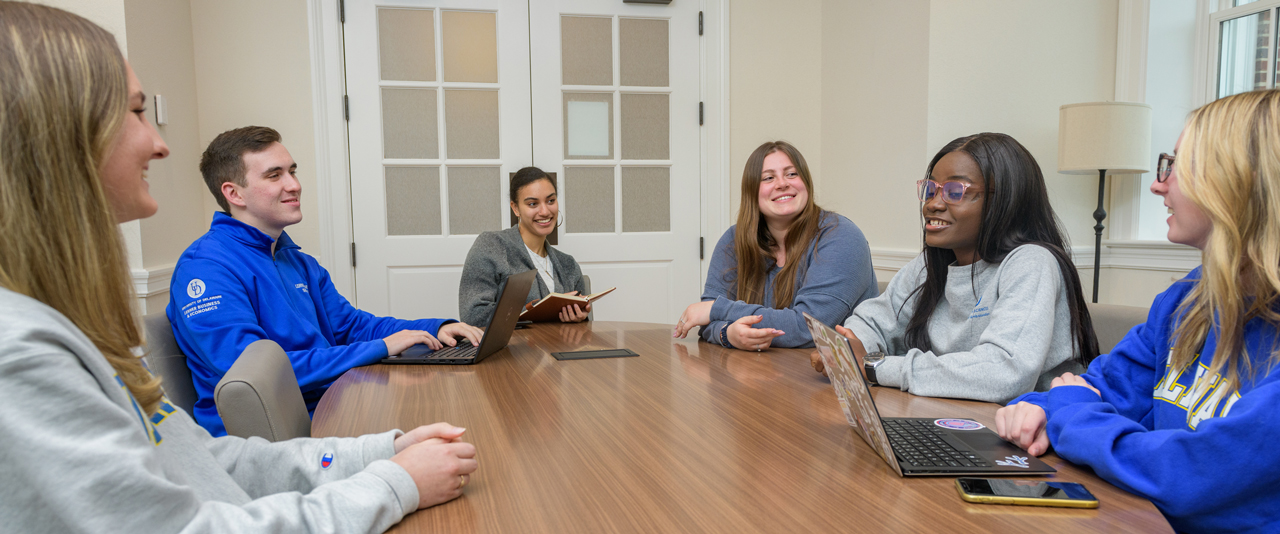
x=63, y=99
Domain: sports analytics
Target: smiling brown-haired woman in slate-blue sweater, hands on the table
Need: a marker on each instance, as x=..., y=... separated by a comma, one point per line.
x=785, y=257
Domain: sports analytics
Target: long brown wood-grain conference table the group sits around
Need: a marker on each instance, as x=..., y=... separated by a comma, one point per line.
x=687, y=437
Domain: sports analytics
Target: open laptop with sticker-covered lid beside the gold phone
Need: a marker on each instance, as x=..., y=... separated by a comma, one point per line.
x=916, y=446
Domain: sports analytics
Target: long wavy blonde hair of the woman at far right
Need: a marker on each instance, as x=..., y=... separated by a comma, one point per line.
x=1229, y=167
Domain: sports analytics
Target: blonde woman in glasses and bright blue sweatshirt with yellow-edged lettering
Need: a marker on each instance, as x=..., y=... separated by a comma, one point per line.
x=1183, y=410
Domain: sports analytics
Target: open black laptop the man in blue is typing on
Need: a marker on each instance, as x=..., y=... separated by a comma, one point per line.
x=496, y=337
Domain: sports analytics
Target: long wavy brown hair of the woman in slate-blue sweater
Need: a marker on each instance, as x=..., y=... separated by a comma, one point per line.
x=753, y=244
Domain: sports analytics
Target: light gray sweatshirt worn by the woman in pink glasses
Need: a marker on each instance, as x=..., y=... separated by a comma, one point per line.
x=1000, y=330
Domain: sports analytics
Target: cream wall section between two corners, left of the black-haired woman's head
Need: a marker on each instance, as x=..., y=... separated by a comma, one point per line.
x=875, y=121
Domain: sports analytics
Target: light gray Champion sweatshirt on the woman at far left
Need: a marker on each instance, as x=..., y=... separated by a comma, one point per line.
x=77, y=454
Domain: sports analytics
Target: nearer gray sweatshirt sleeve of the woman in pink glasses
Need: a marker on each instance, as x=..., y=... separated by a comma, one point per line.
x=1011, y=354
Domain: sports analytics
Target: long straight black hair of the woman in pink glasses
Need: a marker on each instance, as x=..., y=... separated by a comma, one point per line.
x=1016, y=212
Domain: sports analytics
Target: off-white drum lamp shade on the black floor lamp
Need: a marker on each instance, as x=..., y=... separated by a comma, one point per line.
x=1112, y=136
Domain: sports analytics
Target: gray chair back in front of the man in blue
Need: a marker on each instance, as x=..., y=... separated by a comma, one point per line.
x=260, y=396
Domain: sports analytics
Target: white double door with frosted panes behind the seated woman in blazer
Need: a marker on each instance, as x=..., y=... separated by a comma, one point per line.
x=450, y=98
